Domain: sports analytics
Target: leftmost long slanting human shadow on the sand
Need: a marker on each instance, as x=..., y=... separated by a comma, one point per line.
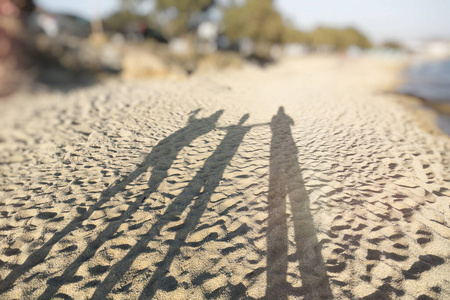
x=160, y=158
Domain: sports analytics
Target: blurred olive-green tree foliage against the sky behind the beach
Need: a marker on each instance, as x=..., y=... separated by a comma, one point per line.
x=257, y=20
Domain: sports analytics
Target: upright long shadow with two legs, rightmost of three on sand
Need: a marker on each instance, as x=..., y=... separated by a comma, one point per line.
x=285, y=181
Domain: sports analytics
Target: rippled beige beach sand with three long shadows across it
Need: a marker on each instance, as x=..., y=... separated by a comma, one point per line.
x=299, y=181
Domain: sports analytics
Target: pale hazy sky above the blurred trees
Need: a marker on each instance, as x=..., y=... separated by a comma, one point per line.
x=380, y=20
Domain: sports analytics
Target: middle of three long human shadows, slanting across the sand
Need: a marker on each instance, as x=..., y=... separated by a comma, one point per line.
x=197, y=194
